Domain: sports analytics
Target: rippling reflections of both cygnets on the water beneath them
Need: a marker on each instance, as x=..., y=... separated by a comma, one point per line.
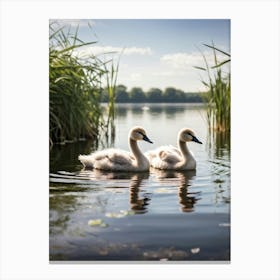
x=140, y=196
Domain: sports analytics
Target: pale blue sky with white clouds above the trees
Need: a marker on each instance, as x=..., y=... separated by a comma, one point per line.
x=157, y=53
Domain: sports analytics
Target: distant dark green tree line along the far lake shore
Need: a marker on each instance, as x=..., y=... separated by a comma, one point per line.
x=154, y=95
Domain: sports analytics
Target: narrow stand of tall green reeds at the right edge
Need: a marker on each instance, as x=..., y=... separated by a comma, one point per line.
x=218, y=93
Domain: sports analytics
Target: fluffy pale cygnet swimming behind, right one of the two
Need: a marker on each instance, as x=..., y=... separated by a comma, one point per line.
x=171, y=158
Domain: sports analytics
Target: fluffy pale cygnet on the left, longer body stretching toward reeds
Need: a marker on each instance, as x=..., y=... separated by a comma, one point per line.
x=119, y=160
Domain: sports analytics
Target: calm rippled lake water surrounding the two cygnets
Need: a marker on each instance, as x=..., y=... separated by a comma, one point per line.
x=152, y=216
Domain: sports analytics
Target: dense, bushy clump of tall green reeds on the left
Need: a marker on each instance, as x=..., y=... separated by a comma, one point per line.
x=75, y=88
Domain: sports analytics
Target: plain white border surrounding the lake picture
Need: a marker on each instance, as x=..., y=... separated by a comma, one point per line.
x=255, y=138
